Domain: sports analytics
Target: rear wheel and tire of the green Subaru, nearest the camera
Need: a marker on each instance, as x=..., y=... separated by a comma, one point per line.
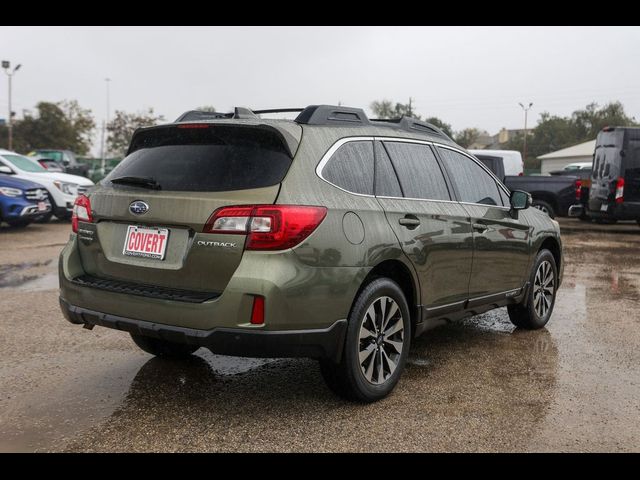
x=366, y=382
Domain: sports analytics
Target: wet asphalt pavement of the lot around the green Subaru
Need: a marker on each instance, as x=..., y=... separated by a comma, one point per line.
x=474, y=386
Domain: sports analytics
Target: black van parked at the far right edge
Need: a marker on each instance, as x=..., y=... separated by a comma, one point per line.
x=615, y=179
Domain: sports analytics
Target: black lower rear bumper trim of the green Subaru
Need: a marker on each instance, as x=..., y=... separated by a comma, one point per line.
x=313, y=343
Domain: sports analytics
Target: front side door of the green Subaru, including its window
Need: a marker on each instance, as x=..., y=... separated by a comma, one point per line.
x=501, y=242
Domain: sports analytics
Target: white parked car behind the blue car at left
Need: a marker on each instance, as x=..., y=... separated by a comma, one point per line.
x=62, y=187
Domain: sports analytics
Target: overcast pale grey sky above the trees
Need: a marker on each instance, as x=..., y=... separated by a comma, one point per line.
x=467, y=76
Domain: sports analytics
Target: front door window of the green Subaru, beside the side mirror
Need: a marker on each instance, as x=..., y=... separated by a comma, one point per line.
x=473, y=183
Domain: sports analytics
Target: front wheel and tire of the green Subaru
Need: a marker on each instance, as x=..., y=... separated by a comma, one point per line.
x=535, y=311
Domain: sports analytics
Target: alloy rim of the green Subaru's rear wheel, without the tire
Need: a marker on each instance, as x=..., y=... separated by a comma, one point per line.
x=381, y=340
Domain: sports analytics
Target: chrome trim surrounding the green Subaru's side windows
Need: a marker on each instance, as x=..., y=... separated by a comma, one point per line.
x=329, y=153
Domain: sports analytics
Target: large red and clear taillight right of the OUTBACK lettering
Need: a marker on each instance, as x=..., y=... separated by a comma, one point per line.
x=268, y=227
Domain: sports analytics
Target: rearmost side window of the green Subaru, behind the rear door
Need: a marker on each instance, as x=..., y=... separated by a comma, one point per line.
x=351, y=167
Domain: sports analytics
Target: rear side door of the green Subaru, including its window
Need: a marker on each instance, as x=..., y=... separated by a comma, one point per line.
x=433, y=230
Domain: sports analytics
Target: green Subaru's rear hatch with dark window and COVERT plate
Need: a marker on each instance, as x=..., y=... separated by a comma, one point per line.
x=150, y=211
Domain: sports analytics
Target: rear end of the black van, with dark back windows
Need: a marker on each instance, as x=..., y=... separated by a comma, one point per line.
x=606, y=169
